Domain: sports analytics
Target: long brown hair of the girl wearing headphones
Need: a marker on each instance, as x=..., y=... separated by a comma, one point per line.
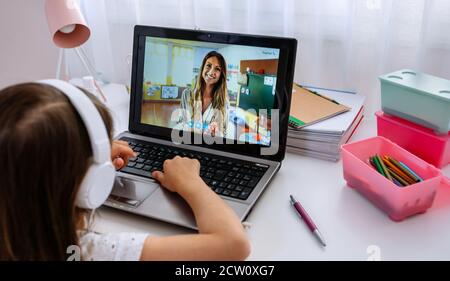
x=45, y=152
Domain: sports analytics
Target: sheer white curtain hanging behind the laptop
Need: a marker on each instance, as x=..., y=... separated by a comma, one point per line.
x=343, y=44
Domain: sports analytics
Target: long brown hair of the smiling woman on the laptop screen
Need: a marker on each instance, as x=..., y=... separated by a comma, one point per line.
x=220, y=92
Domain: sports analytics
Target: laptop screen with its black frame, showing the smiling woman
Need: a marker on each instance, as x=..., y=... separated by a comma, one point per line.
x=211, y=84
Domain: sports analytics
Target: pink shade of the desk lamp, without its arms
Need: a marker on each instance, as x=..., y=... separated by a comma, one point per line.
x=66, y=23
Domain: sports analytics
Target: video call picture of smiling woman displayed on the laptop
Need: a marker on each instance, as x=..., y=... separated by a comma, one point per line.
x=221, y=90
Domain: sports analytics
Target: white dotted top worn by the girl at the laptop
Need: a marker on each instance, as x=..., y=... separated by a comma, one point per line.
x=111, y=246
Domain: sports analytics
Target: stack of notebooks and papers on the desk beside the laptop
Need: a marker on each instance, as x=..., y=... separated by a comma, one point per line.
x=322, y=135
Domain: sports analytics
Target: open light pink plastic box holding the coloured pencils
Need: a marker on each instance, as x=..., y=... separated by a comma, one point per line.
x=398, y=202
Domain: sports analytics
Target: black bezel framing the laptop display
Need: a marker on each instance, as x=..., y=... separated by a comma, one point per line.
x=285, y=75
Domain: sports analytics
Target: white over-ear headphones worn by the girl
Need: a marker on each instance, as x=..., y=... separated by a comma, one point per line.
x=99, y=179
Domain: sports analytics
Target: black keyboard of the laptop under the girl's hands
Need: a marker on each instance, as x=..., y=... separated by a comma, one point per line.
x=226, y=176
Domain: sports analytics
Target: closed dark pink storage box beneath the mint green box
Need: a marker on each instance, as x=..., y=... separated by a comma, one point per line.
x=421, y=141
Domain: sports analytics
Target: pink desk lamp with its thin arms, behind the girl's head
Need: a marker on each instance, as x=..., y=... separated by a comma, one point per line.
x=69, y=30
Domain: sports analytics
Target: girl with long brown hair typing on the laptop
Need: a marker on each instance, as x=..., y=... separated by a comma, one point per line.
x=45, y=152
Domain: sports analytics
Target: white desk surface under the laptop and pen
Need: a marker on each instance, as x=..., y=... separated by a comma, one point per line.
x=348, y=222
